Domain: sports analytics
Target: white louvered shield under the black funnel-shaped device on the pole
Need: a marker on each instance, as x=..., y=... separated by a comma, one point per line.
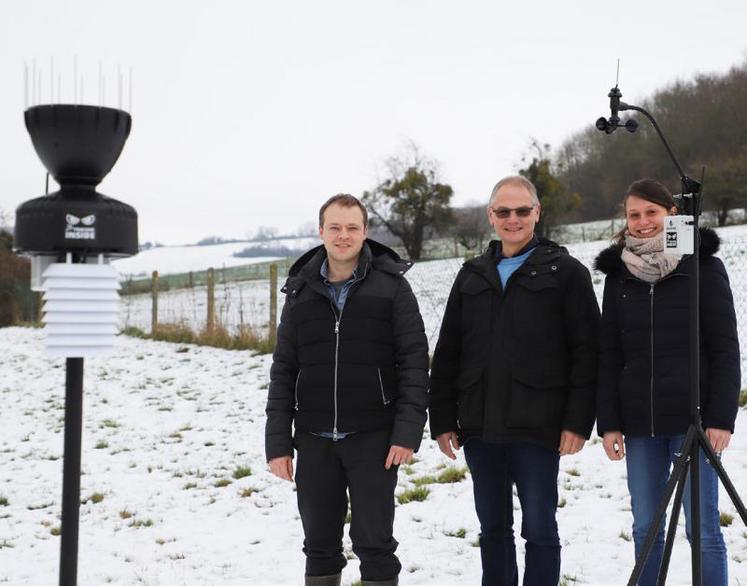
x=80, y=309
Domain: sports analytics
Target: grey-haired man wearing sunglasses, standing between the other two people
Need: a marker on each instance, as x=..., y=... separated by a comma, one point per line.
x=513, y=381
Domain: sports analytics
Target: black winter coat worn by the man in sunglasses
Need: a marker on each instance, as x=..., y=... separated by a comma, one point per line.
x=518, y=363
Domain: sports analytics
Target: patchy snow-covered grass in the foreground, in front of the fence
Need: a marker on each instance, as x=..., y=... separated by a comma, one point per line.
x=165, y=426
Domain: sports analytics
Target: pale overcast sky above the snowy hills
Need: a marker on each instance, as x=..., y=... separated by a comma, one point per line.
x=249, y=114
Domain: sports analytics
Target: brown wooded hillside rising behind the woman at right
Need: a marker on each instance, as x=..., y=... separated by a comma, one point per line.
x=705, y=121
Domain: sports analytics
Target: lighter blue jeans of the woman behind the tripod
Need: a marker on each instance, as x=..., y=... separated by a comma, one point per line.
x=649, y=461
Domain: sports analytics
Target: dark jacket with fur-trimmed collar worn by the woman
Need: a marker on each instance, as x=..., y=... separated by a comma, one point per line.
x=644, y=362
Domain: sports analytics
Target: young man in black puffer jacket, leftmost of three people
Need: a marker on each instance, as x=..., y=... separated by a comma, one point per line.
x=350, y=370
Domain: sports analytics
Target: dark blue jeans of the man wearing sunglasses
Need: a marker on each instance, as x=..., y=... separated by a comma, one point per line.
x=534, y=470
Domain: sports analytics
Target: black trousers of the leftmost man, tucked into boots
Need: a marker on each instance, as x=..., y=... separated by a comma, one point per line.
x=326, y=471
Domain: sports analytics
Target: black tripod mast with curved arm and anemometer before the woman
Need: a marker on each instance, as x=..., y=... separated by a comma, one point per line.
x=695, y=439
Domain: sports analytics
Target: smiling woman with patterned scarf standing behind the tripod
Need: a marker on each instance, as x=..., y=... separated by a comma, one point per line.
x=643, y=404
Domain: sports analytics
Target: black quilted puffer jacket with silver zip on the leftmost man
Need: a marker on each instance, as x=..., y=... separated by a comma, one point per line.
x=363, y=370
